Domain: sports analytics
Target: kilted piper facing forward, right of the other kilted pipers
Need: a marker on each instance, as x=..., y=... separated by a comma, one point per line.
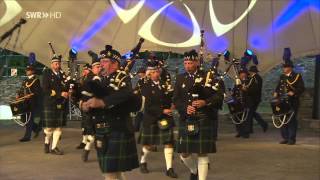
x=194, y=102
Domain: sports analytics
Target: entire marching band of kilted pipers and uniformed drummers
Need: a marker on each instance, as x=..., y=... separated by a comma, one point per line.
x=108, y=101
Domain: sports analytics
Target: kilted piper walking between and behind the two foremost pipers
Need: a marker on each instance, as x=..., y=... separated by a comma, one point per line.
x=157, y=125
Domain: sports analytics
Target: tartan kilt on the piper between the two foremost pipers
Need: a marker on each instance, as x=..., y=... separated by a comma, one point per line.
x=152, y=135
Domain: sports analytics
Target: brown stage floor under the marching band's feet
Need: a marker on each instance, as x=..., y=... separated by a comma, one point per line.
x=257, y=158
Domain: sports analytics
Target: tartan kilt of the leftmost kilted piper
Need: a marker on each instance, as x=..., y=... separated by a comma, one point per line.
x=53, y=117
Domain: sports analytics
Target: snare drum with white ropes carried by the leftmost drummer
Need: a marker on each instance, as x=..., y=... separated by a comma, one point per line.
x=21, y=107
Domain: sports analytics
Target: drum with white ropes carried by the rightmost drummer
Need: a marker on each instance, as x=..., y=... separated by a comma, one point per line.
x=282, y=110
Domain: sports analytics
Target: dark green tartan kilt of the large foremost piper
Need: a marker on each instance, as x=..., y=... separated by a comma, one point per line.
x=117, y=151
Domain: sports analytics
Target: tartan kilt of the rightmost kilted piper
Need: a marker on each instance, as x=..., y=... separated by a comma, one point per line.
x=202, y=143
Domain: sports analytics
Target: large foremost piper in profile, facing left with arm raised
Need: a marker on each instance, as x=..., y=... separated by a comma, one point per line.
x=115, y=141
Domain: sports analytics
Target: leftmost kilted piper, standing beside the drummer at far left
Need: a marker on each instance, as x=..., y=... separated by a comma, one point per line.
x=55, y=95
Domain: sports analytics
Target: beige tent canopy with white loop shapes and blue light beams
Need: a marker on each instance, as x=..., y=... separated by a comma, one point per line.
x=264, y=26
